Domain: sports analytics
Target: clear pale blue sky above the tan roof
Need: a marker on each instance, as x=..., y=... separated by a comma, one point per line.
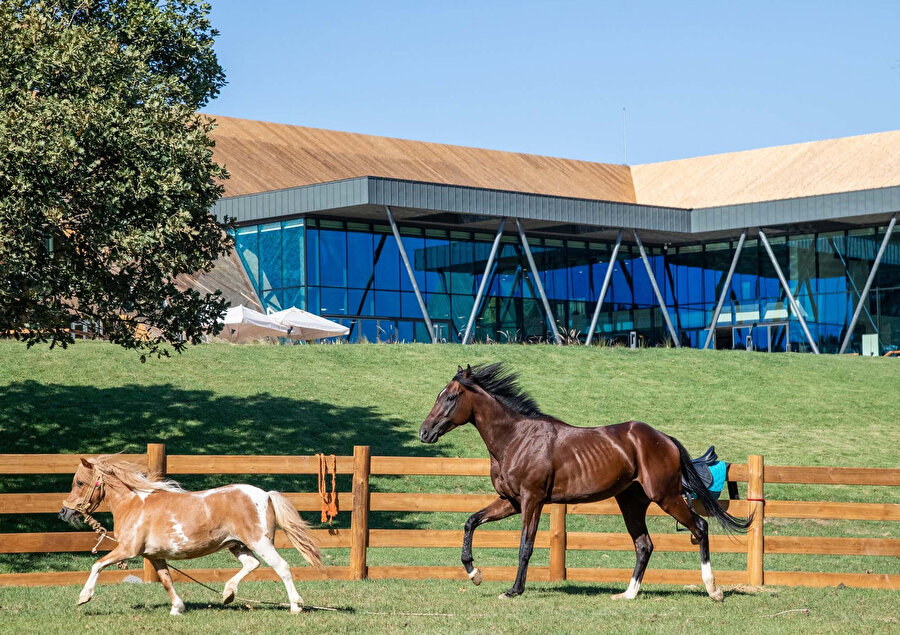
x=552, y=77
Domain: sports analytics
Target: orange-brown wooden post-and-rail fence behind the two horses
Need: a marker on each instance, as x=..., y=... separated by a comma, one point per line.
x=558, y=540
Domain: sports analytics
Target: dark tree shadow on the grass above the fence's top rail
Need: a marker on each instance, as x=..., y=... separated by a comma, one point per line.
x=52, y=418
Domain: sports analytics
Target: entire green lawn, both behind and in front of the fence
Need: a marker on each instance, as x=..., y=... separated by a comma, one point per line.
x=221, y=399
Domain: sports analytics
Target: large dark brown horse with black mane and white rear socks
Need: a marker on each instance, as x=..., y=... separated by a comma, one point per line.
x=537, y=459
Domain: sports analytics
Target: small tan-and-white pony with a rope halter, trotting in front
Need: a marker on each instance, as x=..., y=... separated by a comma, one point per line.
x=159, y=520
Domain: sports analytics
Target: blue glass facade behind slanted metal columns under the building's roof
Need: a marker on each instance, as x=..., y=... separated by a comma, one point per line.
x=352, y=272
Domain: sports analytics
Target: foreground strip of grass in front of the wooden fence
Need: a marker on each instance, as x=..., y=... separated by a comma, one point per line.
x=378, y=607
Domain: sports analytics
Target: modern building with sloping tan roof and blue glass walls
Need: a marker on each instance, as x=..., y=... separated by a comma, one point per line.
x=781, y=249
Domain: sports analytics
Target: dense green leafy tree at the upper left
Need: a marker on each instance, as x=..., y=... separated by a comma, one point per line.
x=106, y=170
